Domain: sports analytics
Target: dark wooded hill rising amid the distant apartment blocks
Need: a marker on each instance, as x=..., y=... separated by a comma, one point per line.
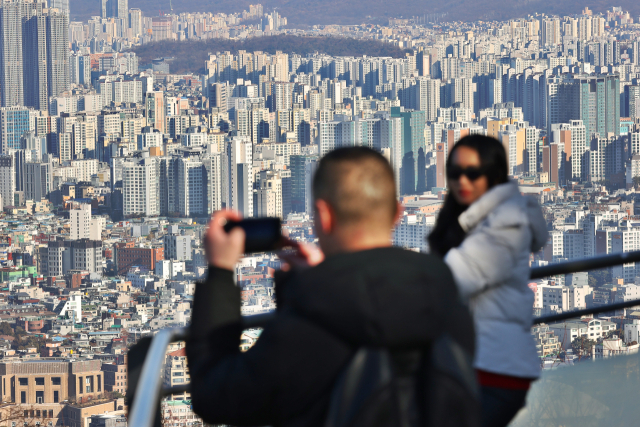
x=191, y=55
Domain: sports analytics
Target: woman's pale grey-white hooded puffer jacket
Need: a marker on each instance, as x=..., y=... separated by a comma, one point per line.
x=491, y=268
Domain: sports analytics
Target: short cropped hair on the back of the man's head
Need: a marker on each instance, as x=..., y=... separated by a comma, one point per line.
x=358, y=183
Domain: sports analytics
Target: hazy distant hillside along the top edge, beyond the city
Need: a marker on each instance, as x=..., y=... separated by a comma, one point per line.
x=306, y=12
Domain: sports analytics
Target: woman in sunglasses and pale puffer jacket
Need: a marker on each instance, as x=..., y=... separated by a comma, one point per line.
x=486, y=232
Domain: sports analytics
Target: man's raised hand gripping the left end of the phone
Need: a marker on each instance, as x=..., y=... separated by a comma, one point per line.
x=224, y=250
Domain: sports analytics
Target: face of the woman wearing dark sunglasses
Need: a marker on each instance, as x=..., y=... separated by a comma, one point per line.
x=467, y=181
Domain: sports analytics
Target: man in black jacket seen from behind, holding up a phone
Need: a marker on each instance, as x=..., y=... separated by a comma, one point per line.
x=364, y=293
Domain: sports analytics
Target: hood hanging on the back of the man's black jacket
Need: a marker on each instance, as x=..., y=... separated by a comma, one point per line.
x=381, y=297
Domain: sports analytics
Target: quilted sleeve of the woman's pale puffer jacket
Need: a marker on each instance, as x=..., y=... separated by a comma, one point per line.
x=488, y=256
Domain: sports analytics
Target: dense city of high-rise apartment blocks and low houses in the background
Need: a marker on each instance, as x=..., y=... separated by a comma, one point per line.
x=111, y=164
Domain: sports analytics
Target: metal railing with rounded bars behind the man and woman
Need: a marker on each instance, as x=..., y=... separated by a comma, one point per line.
x=145, y=405
